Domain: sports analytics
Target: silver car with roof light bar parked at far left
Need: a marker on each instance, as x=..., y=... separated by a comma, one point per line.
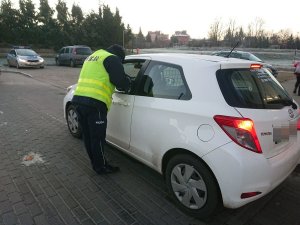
x=24, y=57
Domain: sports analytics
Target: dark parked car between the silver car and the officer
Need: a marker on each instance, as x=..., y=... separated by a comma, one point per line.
x=72, y=55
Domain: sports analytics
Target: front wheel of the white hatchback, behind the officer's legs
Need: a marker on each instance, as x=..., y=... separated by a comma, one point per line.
x=72, y=121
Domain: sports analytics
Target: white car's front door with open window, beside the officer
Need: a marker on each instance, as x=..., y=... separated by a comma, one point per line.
x=119, y=116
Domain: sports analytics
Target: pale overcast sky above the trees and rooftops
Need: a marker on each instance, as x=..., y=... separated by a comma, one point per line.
x=196, y=16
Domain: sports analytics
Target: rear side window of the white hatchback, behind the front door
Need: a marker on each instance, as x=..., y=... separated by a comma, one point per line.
x=162, y=80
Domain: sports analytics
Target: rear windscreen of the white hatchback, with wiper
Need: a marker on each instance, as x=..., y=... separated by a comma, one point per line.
x=245, y=88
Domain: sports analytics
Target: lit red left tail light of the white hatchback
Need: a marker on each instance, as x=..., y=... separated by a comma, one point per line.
x=241, y=131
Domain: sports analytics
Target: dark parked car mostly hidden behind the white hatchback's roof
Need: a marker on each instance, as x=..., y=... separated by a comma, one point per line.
x=247, y=56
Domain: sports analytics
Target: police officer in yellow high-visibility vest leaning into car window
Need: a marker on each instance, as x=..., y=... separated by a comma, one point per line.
x=100, y=74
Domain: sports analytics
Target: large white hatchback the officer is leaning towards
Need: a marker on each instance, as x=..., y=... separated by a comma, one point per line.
x=222, y=131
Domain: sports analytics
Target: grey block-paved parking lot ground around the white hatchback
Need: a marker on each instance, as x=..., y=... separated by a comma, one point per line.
x=46, y=178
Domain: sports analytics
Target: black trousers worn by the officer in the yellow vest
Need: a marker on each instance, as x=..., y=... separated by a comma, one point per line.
x=93, y=123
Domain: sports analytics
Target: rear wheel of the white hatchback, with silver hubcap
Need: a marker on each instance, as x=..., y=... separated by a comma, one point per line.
x=192, y=186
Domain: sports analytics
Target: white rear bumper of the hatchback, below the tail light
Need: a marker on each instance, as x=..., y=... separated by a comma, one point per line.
x=241, y=171
